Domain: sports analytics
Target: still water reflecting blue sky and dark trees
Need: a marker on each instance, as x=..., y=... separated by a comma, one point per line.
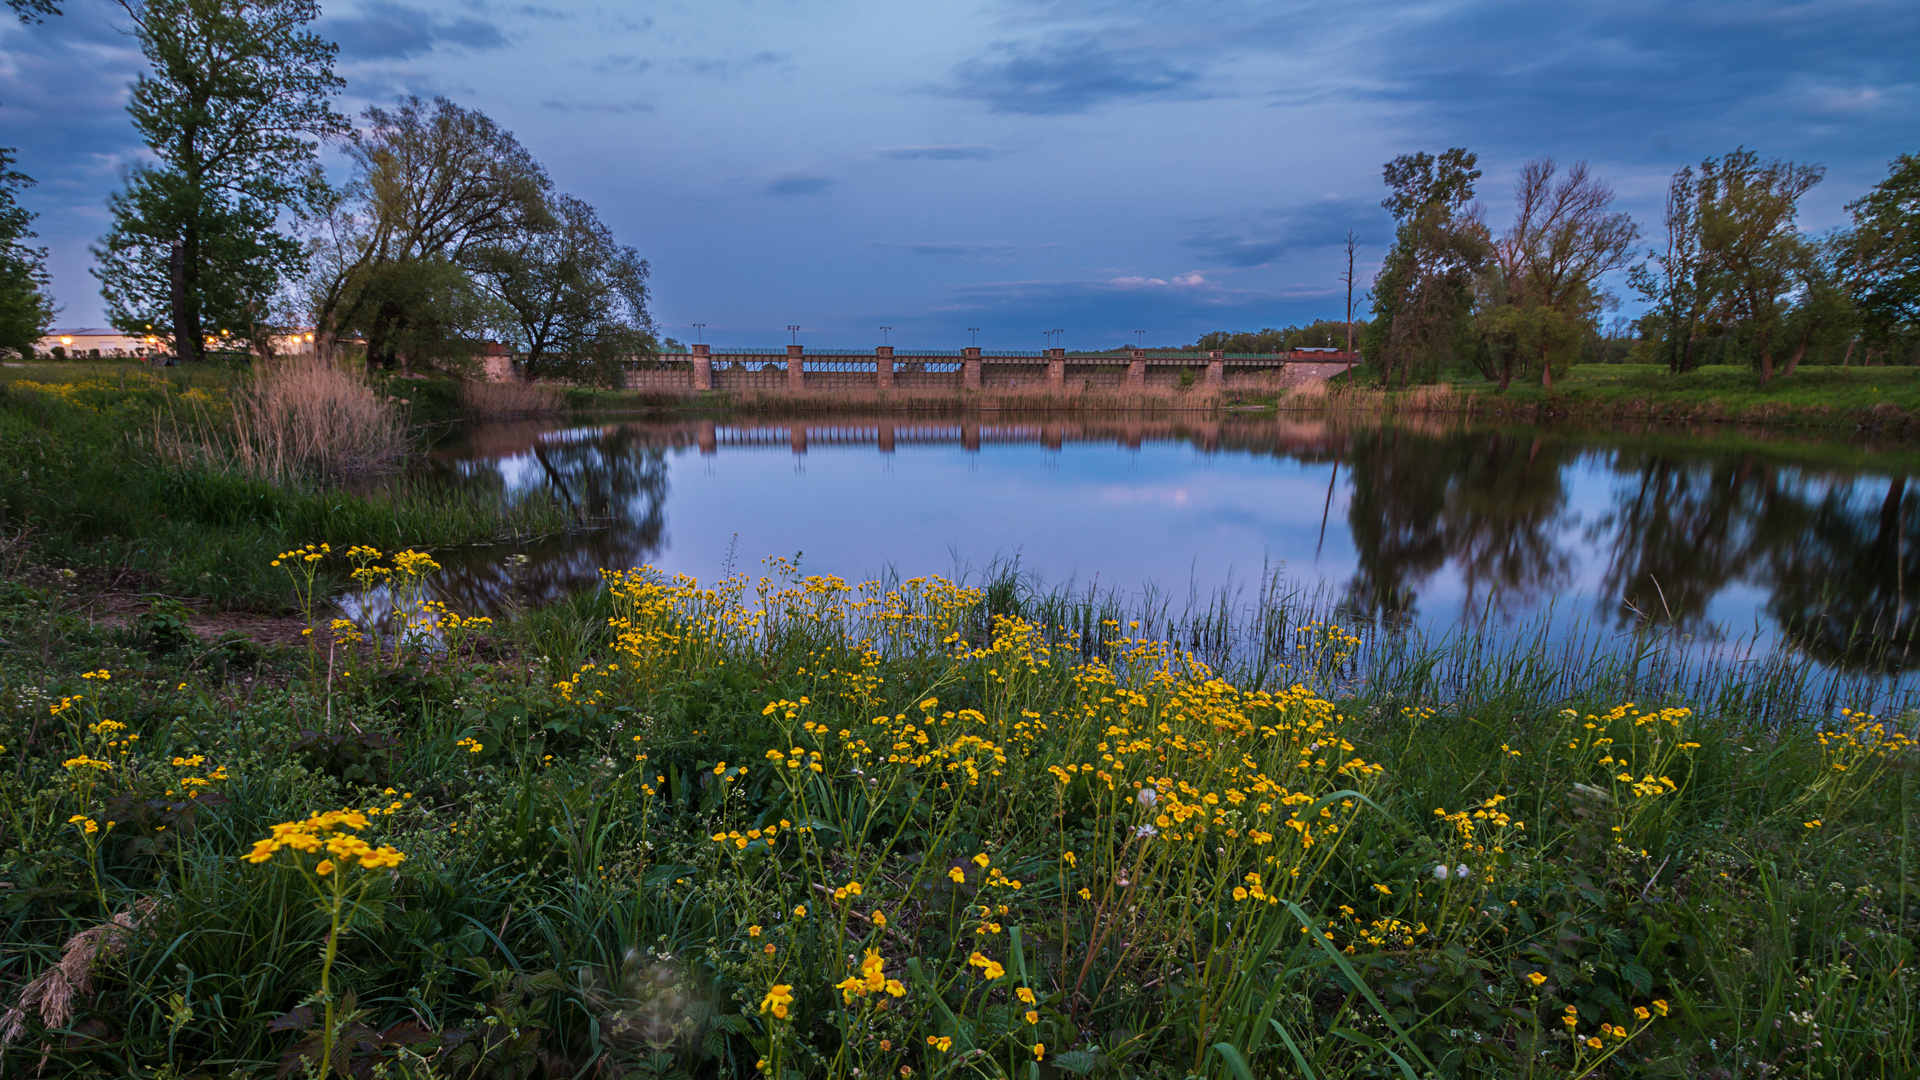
x=1723, y=535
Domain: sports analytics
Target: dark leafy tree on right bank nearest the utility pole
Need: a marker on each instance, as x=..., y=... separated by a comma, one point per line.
x=1424, y=293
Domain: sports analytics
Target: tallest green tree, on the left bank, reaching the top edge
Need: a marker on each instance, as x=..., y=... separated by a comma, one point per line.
x=235, y=107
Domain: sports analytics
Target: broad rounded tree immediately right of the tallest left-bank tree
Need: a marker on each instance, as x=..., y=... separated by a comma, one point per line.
x=435, y=189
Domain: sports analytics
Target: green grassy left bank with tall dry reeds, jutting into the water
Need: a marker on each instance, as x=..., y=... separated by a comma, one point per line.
x=85, y=485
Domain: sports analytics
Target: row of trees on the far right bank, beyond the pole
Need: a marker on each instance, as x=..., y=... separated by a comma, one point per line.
x=1731, y=278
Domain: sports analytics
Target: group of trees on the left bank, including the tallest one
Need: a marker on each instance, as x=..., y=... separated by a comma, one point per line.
x=446, y=233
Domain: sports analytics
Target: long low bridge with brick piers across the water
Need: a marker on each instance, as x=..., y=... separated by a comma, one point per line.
x=1049, y=372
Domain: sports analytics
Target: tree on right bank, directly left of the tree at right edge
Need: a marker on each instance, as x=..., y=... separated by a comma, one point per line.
x=1750, y=245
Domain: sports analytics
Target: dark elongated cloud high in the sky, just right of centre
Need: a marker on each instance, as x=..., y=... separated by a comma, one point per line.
x=1068, y=74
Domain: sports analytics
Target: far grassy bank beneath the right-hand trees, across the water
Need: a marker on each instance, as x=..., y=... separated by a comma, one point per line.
x=1873, y=399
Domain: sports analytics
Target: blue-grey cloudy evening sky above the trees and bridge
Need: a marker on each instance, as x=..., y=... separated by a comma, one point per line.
x=1019, y=166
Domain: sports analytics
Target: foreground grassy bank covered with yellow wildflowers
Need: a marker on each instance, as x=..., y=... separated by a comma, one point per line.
x=792, y=829
